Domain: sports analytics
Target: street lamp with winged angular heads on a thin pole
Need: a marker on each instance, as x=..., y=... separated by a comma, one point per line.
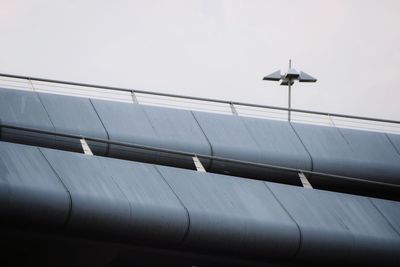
x=288, y=79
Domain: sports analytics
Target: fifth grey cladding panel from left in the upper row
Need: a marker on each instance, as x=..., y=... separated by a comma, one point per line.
x=229, y=138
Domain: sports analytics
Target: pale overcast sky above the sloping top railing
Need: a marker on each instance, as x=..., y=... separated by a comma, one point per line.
x=215, y=48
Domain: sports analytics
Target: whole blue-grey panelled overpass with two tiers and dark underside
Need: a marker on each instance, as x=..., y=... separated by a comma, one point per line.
x=189, y=187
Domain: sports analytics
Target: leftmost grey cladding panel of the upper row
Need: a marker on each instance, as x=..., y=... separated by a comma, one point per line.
x=24, y=109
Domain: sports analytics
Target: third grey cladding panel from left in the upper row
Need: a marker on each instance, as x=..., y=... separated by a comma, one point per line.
x=127, y=122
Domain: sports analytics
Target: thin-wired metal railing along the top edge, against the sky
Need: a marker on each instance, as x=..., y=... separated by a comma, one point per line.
x=197, y=103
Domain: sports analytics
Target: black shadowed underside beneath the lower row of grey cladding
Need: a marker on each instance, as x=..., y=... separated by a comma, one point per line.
x=22, y=247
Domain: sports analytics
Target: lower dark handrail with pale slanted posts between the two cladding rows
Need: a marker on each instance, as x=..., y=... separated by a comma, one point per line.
x=307, y=178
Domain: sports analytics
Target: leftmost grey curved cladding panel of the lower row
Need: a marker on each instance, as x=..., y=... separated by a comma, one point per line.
x=30, y=192
